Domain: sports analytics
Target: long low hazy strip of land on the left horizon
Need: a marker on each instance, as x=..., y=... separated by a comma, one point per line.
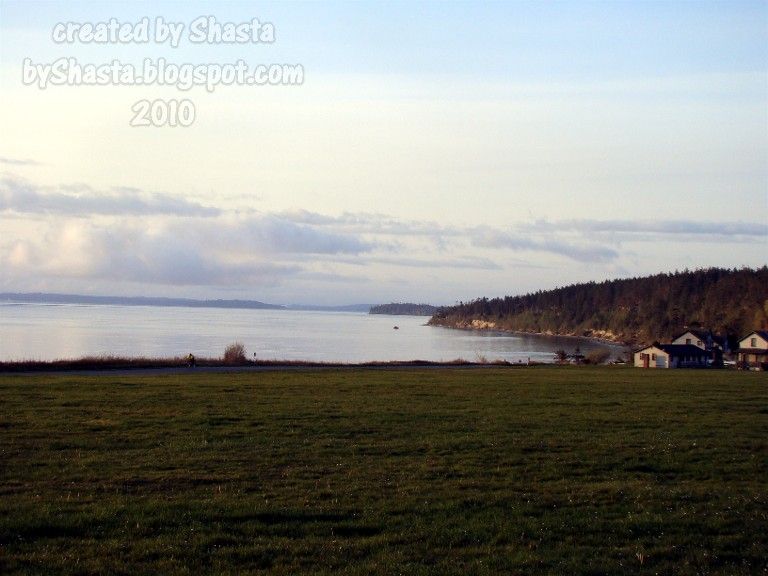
x=43, y=298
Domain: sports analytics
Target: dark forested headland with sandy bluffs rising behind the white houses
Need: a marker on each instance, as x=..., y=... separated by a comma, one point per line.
x=633, y=310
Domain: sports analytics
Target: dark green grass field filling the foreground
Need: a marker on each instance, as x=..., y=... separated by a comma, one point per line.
x=483, y=471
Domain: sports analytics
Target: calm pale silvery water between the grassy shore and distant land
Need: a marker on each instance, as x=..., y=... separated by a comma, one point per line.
x=48, y=332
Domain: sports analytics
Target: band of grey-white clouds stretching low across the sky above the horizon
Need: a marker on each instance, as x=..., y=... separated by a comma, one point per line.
x=130, y=236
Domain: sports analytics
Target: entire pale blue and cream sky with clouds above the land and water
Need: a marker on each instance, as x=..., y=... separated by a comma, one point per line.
x=432, y=152
